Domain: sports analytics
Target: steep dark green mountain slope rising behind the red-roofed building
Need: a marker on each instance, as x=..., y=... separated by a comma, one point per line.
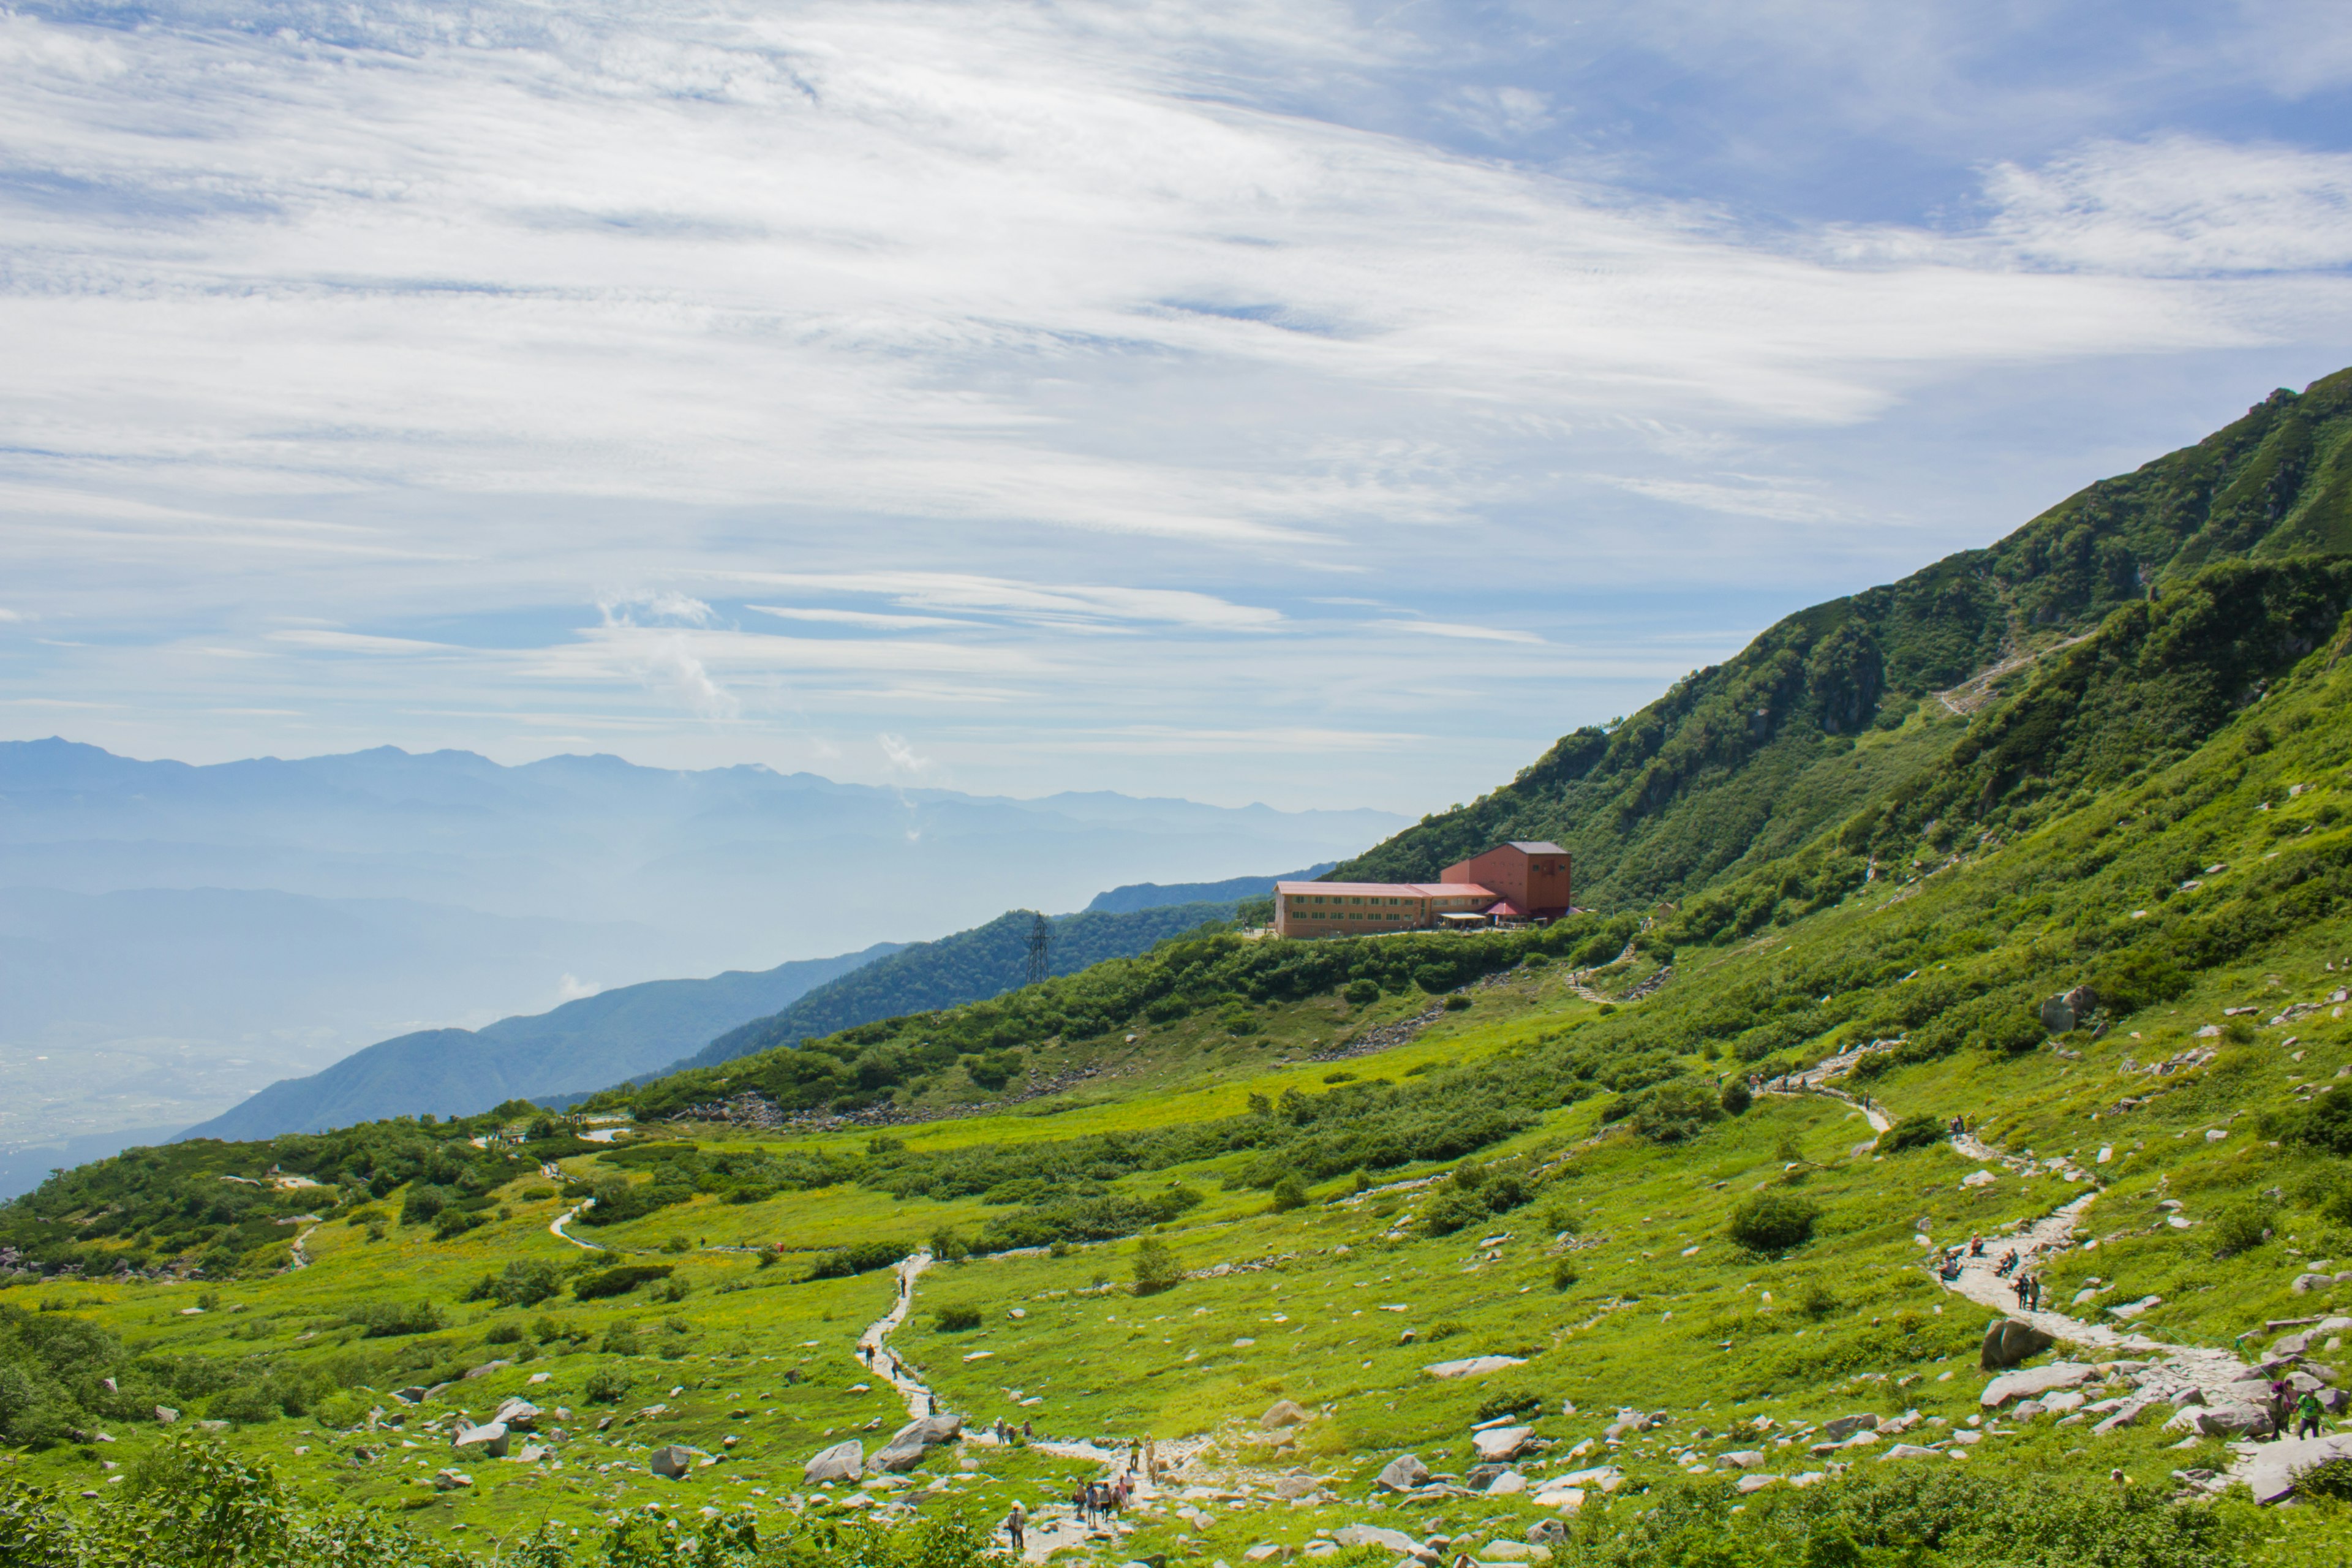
x=1749, y=760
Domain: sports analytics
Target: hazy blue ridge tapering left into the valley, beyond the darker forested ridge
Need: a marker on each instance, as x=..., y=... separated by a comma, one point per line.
x=575, y=1047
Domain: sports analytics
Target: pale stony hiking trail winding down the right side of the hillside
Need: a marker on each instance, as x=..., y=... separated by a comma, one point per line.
x=2181, y=1376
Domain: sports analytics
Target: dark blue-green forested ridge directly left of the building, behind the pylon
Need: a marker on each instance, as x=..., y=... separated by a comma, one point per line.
x=963, y=967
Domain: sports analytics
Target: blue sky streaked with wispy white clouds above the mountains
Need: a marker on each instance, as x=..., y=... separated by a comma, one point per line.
x=1285, y=403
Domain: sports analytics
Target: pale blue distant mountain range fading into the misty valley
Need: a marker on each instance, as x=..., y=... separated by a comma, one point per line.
x=175, y=937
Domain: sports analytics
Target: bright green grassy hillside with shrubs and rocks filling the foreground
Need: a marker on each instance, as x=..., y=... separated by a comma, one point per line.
x=1382, y=1155
